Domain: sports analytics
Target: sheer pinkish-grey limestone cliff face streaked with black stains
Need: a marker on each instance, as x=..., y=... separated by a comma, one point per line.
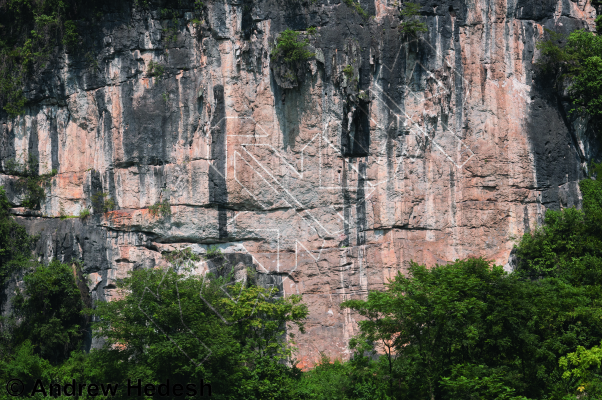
x=327, y=182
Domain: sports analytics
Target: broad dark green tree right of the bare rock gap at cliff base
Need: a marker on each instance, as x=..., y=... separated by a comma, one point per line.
x=471, y=327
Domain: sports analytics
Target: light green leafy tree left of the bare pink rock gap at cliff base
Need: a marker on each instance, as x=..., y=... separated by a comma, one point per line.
x=172, y=324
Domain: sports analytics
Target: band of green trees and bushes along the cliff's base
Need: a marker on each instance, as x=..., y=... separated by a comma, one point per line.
x=465, y=330
